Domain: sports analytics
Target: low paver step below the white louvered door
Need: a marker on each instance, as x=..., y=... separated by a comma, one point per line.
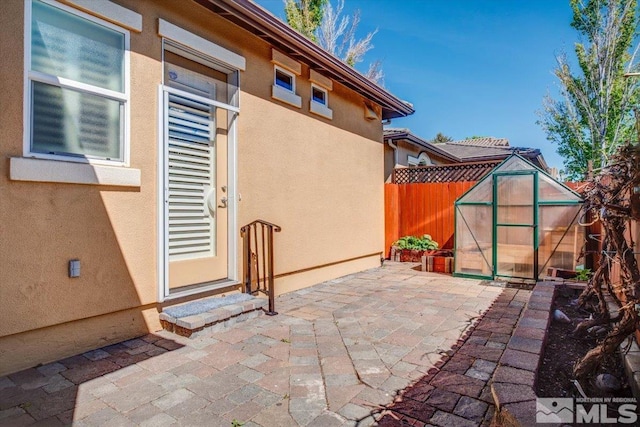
x=216, y=320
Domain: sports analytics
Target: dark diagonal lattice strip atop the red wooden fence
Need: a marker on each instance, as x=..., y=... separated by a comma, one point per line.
x=456, y=172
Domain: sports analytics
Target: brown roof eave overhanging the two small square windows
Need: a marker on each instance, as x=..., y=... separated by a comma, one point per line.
x=259, y=21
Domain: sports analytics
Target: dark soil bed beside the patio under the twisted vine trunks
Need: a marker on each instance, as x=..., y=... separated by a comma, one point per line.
x=562, y=352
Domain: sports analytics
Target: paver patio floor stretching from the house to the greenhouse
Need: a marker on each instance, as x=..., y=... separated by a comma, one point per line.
x=375, y=345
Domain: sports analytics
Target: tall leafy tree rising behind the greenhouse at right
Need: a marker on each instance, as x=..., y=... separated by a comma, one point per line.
x=594, y=114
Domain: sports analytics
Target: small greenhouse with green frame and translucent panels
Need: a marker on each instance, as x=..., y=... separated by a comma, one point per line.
x=517, y=222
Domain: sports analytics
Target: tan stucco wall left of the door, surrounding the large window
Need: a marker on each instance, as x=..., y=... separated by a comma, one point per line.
x=44, y=225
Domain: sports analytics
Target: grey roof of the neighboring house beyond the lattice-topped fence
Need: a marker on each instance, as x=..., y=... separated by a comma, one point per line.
x=470, y=150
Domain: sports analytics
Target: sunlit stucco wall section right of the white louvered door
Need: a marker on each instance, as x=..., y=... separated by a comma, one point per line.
x=321, y=184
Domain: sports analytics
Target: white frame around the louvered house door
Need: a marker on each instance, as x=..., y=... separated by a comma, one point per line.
x=232, y=195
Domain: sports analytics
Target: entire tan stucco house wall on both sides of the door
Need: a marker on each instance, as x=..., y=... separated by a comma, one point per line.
x=321, y=180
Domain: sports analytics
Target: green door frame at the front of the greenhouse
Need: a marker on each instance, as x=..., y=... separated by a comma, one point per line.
x=534, y=226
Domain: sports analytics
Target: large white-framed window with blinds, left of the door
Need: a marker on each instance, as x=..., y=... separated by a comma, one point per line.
x=76, y=86
